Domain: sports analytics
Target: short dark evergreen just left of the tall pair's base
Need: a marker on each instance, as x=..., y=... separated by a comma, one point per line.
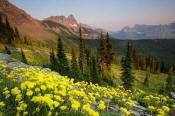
x=94, y=71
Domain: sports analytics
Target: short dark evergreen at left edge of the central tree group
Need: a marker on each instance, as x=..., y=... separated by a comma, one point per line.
x=53, y=60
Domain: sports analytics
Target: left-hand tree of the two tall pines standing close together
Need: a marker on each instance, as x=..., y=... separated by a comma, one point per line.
x=101, y=56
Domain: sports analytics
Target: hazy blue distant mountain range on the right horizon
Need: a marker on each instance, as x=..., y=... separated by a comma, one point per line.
x=147, y=32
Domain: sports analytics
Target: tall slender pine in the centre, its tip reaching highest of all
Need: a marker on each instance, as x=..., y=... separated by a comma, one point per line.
x=82, y=57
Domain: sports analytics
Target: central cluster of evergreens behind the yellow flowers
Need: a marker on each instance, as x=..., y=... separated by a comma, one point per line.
x=86, y=64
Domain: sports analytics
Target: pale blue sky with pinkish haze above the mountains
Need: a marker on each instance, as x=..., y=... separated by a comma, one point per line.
x=111, y=15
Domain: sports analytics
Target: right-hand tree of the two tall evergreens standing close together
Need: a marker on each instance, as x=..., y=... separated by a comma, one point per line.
x=109, y=54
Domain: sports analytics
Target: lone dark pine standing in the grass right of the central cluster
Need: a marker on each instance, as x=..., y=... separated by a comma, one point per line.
x=127, y=77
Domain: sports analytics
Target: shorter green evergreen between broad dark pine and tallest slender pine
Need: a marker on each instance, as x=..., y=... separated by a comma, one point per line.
x=74, y=67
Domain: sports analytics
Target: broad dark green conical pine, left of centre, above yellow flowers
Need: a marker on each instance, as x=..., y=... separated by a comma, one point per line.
x=63, y=66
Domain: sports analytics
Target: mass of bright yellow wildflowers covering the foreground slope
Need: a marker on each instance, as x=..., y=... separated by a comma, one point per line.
x=38, y=90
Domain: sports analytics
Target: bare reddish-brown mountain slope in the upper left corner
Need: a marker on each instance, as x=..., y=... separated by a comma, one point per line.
x=23, y=21
